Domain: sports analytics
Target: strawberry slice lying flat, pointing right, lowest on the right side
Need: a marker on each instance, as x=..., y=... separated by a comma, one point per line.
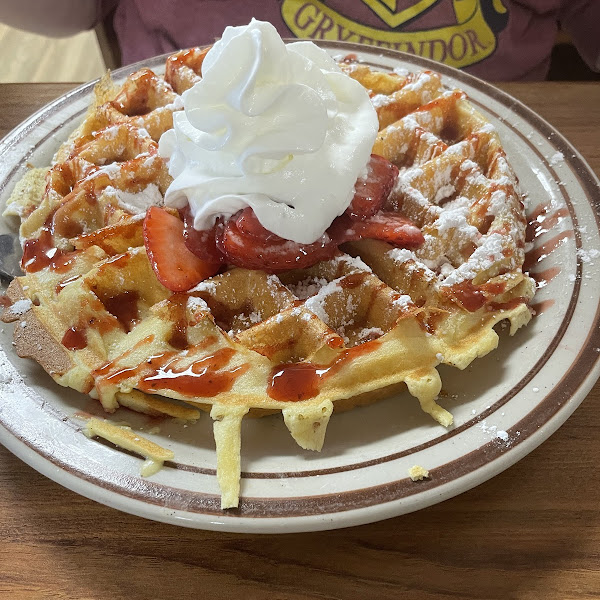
x=386, y=226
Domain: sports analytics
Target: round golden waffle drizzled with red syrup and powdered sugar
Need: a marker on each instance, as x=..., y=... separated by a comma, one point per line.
x=369, y=322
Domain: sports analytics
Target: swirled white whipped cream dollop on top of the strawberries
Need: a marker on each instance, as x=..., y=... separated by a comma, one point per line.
x=272, y=126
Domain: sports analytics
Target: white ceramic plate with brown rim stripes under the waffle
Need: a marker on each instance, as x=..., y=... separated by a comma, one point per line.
x=504, y=405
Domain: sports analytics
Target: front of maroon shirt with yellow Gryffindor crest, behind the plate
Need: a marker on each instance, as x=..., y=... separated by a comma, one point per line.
x=494, y=39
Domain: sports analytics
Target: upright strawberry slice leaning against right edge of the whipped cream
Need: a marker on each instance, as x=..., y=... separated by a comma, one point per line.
x=371, y=193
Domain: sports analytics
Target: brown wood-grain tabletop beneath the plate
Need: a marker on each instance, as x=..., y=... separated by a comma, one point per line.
x=531, y=532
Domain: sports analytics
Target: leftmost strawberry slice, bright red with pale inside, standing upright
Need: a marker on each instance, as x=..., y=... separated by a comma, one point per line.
x=175, y=266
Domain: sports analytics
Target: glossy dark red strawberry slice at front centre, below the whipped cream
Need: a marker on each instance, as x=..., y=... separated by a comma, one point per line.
x=246, y=243
